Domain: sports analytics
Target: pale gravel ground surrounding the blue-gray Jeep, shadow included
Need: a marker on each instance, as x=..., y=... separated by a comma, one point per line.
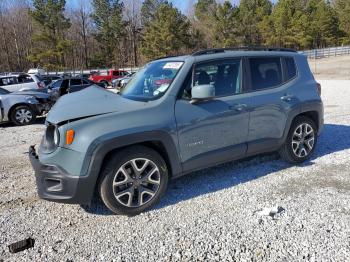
x=214, y=214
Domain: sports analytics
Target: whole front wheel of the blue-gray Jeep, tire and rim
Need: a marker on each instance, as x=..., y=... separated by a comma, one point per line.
x=124, y=194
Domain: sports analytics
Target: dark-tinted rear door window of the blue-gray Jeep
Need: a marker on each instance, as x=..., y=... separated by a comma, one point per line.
x=265, y=72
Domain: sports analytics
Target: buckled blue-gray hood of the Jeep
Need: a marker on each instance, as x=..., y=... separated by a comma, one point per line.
x=89, y=102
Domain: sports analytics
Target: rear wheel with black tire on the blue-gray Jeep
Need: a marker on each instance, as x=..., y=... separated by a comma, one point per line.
x=301, y=141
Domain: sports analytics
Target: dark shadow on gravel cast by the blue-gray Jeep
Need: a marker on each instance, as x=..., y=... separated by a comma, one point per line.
x=334, y=138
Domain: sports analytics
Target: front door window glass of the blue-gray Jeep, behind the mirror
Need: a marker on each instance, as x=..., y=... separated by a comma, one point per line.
x=224, y=75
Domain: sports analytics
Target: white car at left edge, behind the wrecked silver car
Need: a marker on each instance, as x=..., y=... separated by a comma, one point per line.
x=21, y=82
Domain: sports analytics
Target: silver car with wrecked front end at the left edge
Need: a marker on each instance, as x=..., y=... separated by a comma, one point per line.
x=22, y=108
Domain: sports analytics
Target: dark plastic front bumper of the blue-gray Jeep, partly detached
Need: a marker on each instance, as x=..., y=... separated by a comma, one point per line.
x=55, y=184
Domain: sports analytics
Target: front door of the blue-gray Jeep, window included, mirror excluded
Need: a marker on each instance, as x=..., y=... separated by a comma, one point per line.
x=215, y=130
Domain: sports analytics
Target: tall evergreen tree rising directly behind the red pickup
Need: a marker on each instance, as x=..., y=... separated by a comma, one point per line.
x=108, y=20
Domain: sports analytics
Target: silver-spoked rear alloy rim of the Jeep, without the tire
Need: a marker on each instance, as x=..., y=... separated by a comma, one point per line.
x=303, y=140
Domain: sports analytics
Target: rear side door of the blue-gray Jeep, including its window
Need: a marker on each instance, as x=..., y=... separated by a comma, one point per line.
x=272, y=99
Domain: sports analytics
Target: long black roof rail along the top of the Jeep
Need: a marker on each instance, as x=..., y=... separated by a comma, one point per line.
x=243, y=48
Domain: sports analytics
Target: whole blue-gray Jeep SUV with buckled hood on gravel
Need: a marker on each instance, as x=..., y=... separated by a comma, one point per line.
x=177, y=115
